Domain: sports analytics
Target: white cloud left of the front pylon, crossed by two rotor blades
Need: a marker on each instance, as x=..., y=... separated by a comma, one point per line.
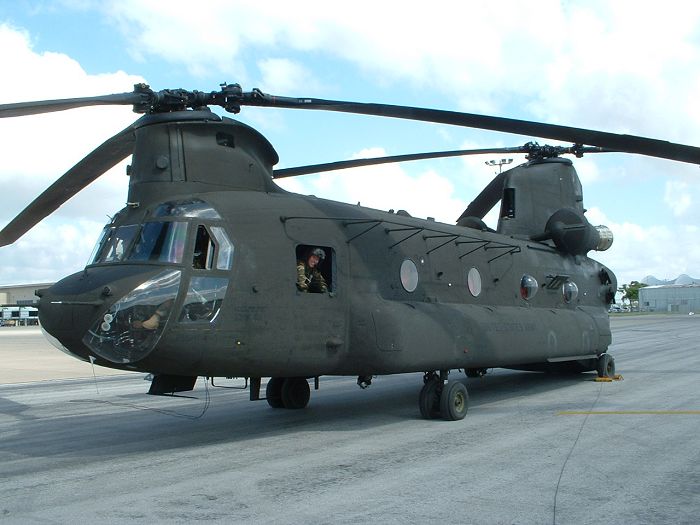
x=39, y=149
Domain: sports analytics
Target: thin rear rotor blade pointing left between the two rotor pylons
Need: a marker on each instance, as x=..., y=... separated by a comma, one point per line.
x=355, y=163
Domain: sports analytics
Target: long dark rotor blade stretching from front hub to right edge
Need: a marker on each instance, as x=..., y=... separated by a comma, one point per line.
x=614, y=141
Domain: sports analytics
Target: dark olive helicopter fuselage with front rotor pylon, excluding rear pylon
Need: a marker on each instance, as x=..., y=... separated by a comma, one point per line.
x=404, y=294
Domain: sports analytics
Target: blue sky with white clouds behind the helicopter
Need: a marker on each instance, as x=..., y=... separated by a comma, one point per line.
x=624, y=67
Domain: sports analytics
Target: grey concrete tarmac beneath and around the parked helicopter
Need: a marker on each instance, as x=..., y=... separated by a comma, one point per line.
x=533, y=449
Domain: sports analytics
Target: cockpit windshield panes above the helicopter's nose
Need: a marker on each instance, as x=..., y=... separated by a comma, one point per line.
x=152, y=241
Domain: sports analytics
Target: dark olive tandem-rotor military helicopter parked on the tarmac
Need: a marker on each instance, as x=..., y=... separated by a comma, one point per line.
x=202, y=272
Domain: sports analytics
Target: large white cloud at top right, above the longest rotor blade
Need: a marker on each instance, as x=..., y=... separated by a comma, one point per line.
x=621, y=67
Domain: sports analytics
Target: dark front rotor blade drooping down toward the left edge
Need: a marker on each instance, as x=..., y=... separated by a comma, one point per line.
x=104, y=157
